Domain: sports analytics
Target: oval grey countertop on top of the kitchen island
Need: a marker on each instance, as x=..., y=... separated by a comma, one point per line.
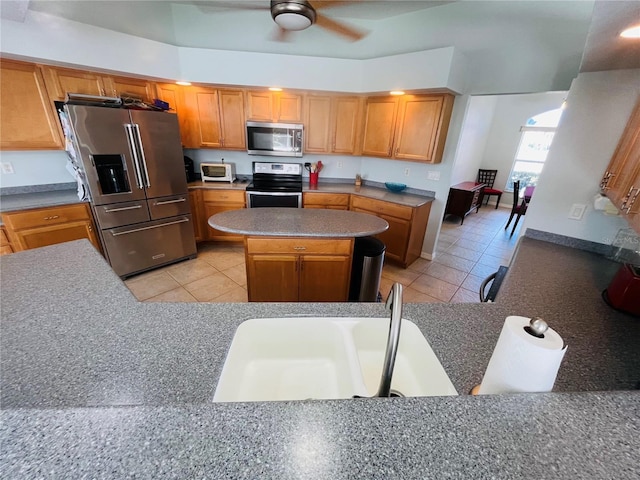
x=298, y=222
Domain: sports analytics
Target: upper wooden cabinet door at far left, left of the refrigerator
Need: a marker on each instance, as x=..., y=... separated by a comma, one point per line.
x=28, y=120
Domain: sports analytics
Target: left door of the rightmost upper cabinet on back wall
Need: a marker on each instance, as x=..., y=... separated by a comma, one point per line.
x=380, y=121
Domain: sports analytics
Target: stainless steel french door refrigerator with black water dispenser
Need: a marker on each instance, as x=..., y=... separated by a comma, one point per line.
x=133, y=167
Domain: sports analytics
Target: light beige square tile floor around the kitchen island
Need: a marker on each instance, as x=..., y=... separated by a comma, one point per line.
x=465, y=255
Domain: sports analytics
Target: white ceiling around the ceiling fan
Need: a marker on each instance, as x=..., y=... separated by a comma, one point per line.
x=474, y=27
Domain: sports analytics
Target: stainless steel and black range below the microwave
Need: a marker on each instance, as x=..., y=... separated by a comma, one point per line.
x=275, y=185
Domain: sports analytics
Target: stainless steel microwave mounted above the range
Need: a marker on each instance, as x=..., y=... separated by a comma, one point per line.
x=274, y=139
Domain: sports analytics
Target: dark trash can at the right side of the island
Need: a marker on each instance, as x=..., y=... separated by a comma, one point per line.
x=366, y=268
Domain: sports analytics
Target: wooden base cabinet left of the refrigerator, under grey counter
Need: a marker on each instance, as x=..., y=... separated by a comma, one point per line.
x=40, y=227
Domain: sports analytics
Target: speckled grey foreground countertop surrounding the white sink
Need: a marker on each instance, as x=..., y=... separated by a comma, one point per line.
x=96, y=384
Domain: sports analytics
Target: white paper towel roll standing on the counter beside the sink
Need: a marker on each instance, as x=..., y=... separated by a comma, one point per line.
x=522, y=362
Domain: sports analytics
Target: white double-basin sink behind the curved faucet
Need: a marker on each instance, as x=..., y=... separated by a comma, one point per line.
x=325, y=358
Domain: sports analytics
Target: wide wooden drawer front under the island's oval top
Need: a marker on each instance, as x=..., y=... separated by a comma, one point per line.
x=300, y=245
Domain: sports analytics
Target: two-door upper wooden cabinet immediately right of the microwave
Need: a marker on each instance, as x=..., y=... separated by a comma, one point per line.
x=332, y=124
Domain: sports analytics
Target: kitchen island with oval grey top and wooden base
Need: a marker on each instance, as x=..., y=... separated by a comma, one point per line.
x=295, y=254
